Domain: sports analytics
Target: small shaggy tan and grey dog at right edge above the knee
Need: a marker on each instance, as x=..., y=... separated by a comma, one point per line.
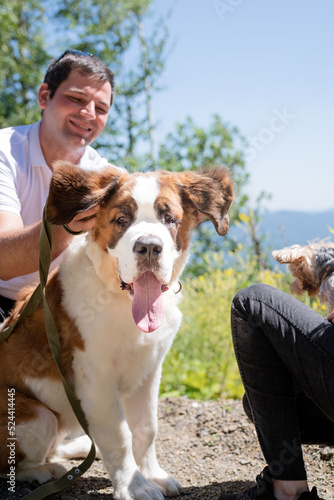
x=313, y=267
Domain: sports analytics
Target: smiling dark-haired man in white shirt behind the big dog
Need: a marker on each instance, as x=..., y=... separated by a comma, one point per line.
x=75, y=98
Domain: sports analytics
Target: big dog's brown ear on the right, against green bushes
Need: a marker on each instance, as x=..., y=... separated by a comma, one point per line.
x=209, y=193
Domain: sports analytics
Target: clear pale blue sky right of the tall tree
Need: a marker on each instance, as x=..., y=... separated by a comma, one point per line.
x=267, y=67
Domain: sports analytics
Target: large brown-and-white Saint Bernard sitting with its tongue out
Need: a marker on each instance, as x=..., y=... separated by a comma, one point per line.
x=142, y=230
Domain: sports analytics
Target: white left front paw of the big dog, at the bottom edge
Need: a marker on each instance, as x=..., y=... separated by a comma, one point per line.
x=138, y=489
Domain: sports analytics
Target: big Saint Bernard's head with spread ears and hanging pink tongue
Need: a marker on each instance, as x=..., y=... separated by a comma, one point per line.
x=144, y=222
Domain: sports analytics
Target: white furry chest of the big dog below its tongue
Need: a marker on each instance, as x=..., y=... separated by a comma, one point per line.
x=114, y=347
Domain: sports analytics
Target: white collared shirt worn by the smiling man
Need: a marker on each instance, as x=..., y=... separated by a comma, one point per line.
x=24, y=184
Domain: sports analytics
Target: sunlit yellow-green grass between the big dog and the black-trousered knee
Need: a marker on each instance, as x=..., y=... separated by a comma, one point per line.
x=201, y=363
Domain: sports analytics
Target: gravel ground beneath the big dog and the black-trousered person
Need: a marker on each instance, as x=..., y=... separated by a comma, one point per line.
x=208, y=447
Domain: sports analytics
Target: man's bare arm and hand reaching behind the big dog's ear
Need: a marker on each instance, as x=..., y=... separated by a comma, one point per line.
x=19, y=245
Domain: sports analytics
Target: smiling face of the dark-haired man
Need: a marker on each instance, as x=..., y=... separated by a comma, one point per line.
x=78, y=111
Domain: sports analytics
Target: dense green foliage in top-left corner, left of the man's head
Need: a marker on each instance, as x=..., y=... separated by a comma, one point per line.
x=22, y=57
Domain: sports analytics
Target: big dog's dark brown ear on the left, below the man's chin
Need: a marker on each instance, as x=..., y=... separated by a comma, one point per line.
x=74, y=190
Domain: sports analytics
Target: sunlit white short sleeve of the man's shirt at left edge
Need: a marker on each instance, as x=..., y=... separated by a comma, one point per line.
x=9, y=199
